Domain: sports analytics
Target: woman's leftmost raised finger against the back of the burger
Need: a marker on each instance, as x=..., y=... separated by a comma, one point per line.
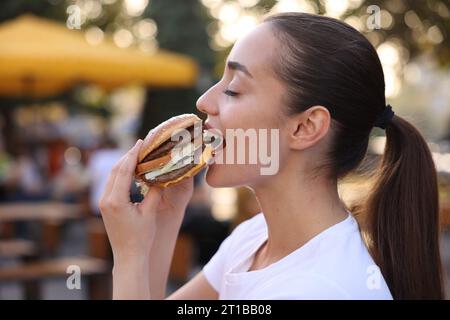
x=125, y=174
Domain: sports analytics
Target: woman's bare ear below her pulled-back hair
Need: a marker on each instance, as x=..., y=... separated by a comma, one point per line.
x=308, y=127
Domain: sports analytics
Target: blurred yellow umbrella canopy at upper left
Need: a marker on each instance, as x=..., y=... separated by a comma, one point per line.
x=39, y=57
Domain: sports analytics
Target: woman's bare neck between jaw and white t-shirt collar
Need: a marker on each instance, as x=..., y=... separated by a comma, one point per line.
x=296, y=210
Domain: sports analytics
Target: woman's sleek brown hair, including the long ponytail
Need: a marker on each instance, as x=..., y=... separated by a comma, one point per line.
x=326, y=62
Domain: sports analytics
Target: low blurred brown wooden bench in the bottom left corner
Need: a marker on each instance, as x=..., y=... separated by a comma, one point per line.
x=95, y=271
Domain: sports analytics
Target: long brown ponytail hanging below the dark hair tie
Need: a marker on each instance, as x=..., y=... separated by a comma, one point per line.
x=403, y=215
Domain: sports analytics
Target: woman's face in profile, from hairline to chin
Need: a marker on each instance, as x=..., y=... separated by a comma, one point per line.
x=248, y=97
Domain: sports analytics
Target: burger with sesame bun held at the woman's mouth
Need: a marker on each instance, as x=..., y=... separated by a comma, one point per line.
x=175, y=150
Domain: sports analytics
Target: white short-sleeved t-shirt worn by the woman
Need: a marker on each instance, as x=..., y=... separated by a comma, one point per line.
x=335, y=264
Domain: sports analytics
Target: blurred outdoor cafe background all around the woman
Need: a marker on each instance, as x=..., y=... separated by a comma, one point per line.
x=81, y=80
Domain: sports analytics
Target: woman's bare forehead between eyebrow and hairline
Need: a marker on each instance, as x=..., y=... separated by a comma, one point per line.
x=255, y=50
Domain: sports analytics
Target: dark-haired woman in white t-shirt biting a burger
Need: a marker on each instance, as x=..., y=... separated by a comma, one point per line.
x=320, y=83
